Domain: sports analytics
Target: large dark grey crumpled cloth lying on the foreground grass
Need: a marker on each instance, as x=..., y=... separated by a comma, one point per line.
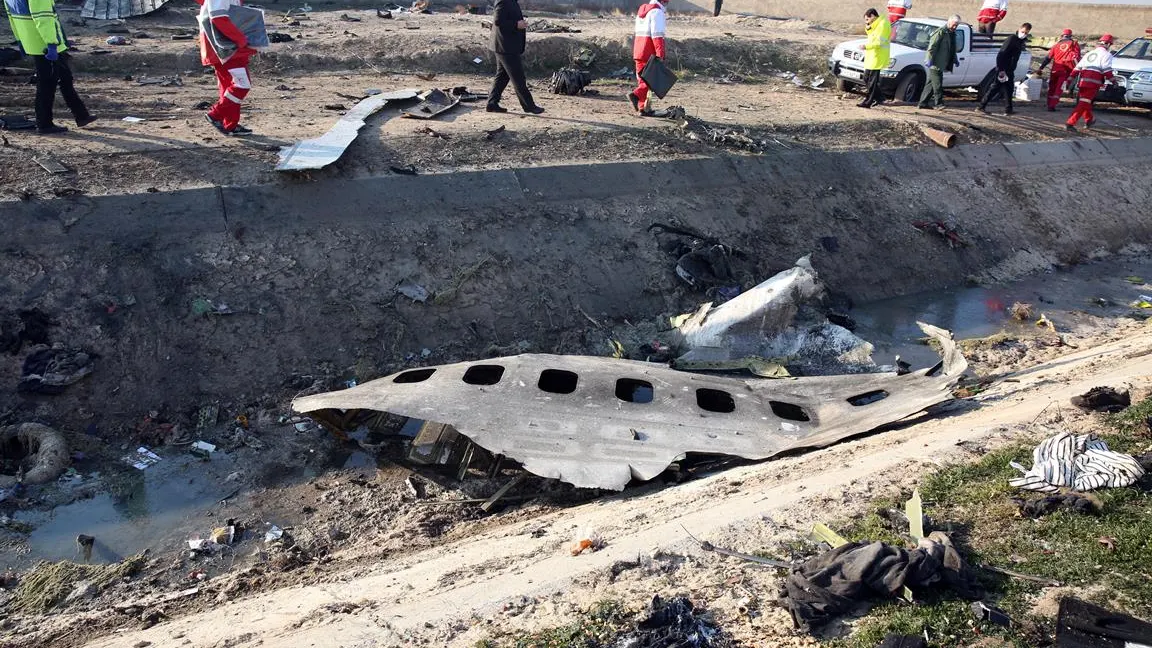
x=835, y=583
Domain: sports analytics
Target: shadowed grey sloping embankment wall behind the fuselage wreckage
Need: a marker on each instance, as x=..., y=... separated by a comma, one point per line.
x=309, y=269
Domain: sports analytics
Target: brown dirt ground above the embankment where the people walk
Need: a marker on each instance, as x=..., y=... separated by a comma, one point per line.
x=731, y=71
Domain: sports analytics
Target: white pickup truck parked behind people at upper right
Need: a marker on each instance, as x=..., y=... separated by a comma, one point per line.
x=906, y=74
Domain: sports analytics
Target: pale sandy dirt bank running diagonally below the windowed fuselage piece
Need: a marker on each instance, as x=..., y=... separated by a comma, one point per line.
x=381, y=563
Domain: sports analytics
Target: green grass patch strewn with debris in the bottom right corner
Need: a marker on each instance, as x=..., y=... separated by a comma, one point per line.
x=974, y=503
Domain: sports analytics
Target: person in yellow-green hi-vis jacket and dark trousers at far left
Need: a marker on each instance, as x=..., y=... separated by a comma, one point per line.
x=36, y=27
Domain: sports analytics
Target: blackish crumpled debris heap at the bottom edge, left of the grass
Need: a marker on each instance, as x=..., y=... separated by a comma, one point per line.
x=674, y=624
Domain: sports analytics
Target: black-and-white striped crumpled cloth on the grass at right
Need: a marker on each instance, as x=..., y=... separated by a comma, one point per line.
x=1078, y=462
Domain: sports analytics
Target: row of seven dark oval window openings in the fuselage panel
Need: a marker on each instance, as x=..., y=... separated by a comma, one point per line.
x=630, y=390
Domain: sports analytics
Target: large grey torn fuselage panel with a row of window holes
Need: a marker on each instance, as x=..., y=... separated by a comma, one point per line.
x=592, y=439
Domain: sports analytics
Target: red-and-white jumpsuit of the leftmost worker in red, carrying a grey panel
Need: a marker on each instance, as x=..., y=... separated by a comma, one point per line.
x=232, y=74
